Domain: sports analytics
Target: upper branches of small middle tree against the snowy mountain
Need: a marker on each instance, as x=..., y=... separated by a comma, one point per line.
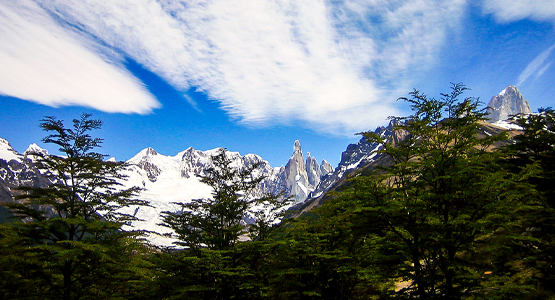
x=216, y=223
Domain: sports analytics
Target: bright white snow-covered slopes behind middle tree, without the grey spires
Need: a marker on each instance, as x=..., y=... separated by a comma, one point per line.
x=169, y=179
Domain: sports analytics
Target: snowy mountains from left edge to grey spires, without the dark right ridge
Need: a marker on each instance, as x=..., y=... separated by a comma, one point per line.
x=168, y=179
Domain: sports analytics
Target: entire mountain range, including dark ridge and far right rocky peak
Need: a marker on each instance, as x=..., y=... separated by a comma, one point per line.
x=168, y=179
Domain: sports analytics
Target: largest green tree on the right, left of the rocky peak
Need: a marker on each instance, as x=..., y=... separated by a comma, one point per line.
x=442, y=193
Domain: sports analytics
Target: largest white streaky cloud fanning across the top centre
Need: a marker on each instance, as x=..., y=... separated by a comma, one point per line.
x=335, y=66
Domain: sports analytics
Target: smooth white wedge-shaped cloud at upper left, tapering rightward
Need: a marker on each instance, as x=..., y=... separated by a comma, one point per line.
x=44, y=63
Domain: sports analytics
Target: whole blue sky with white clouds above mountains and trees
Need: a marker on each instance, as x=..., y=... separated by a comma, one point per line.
x=253, y=76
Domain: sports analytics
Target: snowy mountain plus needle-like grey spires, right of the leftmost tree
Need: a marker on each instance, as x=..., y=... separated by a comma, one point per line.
x=169, y=179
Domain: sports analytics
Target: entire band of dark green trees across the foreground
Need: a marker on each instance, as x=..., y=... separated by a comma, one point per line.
x=455, y=214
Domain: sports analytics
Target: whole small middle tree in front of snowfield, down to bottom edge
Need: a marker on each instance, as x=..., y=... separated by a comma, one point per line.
x=214, y=265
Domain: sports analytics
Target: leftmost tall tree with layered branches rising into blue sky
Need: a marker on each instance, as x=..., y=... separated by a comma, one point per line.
x=70, y=239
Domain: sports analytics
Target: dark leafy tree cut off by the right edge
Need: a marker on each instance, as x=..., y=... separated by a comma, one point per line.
x=535, y=148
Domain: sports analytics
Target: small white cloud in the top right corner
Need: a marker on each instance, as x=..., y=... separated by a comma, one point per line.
x=514, y=10
